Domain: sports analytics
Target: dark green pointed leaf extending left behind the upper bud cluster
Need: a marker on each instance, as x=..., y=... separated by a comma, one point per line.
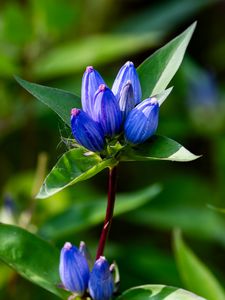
x=58, y=100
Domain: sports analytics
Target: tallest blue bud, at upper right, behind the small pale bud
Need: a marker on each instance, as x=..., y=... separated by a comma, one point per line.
x=127, y=72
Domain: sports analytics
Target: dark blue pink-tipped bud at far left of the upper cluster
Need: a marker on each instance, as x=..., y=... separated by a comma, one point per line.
x=87, y=132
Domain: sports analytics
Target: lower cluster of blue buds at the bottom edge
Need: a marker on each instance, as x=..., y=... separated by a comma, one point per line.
x=76, y=277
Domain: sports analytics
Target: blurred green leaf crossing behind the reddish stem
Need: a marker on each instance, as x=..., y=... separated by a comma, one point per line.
x=86, y=214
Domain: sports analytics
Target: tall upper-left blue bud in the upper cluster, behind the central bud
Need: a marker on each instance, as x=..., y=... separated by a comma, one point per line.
x=90, y=83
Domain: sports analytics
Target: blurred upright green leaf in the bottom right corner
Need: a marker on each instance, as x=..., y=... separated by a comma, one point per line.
x=196, y=276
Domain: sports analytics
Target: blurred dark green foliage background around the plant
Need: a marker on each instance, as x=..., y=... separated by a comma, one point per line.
x=51, y=42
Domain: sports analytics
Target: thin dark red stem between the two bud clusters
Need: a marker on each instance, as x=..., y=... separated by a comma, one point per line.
x=109, y=211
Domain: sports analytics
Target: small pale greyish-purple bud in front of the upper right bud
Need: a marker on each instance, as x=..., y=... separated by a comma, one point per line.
x=126, y=101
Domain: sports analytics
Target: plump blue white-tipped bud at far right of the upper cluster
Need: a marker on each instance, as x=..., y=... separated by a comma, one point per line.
x=142, y=121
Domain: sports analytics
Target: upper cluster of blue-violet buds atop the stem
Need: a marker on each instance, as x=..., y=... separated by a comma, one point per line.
x=107, y=113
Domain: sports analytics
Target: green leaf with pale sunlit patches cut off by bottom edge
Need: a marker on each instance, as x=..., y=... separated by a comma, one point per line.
x=157, y=292
